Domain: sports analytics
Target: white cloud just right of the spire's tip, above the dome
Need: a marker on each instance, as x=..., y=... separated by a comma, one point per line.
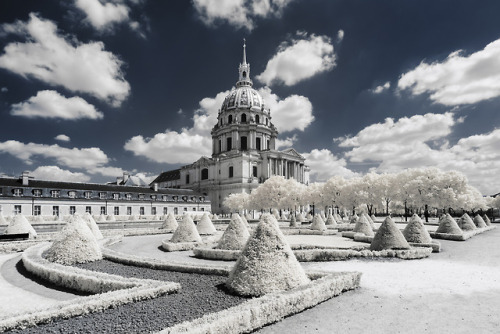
x=299, y=59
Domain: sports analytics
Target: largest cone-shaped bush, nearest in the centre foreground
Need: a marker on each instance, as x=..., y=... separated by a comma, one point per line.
x=266, y=264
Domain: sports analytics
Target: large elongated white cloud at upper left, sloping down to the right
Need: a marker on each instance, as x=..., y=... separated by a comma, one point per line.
x=64, y=61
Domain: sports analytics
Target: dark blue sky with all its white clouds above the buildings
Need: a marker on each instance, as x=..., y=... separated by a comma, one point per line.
x=92, y=88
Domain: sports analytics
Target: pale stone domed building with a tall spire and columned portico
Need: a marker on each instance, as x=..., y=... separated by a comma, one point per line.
x=243, y=149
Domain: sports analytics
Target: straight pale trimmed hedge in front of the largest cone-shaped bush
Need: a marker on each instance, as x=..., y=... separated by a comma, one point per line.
x=272, y=307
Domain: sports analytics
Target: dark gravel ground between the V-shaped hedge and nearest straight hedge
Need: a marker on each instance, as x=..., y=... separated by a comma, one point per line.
x=200, y=294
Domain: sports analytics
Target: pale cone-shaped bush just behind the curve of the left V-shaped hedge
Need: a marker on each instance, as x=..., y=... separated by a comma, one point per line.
x=76, y=244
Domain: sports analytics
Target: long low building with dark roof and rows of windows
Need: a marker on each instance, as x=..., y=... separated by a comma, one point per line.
x=28, y=196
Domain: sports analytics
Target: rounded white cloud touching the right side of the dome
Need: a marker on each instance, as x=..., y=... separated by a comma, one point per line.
x=292, y=113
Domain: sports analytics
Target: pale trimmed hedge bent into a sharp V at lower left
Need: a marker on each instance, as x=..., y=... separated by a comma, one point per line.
x=120, y=290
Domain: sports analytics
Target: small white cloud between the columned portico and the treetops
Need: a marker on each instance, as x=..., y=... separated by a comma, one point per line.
x=324, y=164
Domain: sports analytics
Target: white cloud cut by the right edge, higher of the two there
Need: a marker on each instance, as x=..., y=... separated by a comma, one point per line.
x=458, y=79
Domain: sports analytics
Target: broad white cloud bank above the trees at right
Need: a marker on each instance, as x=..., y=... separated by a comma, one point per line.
x=421, y=141
